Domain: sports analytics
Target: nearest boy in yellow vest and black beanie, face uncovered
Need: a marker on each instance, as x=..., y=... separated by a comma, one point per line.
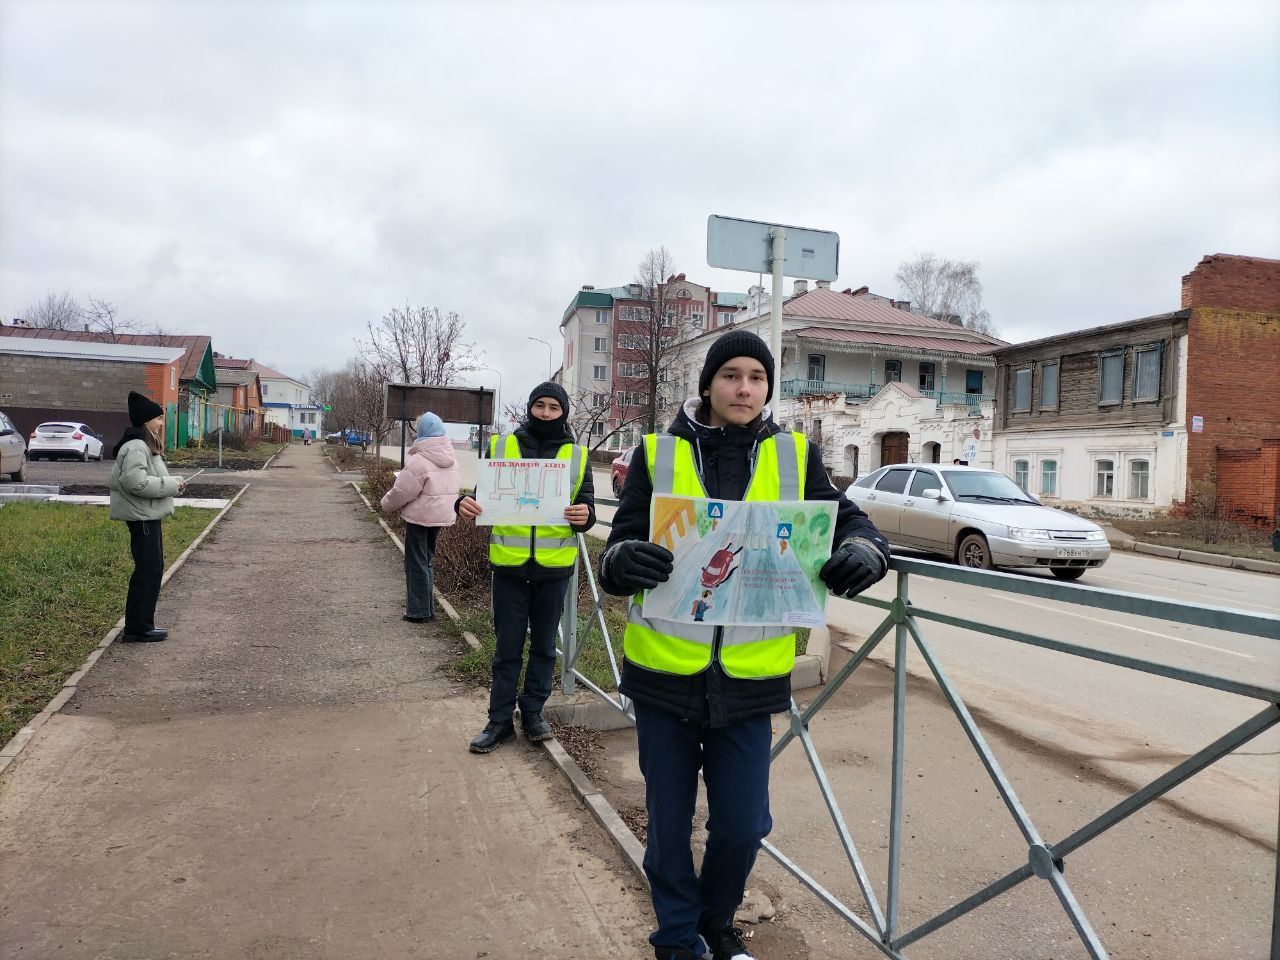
x=703, y=694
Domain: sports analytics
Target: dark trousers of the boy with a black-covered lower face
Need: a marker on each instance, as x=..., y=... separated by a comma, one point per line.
x=522, y=605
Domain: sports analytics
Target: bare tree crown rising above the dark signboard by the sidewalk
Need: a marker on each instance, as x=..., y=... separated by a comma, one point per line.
x=420, y=346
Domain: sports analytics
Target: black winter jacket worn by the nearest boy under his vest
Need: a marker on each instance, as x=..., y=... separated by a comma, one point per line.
x=712, y=698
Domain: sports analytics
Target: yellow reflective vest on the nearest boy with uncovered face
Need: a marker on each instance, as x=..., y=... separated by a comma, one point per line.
x=746, y=653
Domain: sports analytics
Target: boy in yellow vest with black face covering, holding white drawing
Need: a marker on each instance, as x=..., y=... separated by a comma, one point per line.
x=532, y=568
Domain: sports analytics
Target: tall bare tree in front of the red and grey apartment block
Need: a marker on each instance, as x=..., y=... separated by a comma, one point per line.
x=648, y=337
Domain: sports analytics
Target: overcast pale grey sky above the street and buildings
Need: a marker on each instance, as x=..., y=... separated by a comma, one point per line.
x=278, y=173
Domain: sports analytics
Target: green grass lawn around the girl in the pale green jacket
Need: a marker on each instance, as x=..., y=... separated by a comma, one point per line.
x=65, y=572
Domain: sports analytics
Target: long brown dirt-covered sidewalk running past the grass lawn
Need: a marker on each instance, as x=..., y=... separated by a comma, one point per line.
x=289, y=776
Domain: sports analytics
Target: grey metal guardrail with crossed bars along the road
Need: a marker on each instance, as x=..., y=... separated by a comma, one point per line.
x=1045, y=861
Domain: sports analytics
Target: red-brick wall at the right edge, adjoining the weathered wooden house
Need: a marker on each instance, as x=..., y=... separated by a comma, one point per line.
x=1233, y=340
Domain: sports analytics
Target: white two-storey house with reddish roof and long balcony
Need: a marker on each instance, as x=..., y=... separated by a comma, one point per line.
x=868, y=381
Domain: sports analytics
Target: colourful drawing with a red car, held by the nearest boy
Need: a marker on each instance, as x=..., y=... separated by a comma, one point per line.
x=742, y=564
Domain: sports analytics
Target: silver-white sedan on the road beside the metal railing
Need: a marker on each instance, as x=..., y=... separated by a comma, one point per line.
x=980, y=518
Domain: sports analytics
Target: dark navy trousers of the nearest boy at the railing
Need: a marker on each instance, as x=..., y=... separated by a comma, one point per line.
x=735, y=765
